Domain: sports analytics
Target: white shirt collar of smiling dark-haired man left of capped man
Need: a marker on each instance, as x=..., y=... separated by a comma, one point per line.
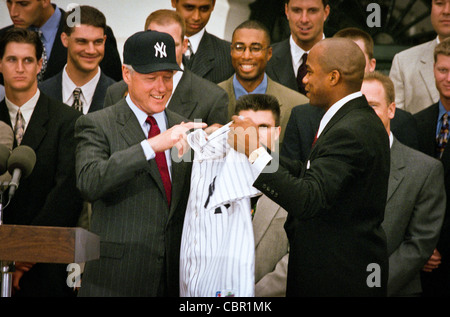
x=87, y=90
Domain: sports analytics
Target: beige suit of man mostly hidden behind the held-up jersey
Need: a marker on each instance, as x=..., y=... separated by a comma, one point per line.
x=271, y=249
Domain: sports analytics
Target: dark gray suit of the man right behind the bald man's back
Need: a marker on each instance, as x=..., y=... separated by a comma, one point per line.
x=413, y=218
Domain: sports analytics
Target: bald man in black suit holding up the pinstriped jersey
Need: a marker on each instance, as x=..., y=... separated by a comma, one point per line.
x=336, y=200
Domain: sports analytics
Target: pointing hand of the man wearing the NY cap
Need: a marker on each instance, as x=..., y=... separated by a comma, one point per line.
x=175, y=136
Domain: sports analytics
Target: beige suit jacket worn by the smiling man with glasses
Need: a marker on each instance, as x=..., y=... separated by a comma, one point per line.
x=287, y=98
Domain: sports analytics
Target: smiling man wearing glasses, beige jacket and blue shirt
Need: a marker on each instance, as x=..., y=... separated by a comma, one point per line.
x=250, y=52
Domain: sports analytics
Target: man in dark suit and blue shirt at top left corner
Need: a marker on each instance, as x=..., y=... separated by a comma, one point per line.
x=42, y=15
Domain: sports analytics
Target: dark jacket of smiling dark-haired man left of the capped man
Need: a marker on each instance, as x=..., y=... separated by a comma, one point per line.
x=52, y=87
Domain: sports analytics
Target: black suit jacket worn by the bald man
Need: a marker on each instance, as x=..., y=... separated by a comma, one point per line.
x=335, y=206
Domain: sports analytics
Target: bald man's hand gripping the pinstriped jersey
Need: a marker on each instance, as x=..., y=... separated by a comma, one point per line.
x=243, y=135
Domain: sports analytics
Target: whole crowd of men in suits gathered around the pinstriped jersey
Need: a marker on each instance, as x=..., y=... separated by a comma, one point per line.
x=362, y=166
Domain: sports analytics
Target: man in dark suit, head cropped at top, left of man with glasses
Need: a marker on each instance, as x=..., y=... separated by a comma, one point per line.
x=207, y=55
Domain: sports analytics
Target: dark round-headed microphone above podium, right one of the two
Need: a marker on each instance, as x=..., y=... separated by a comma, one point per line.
x=20, y=163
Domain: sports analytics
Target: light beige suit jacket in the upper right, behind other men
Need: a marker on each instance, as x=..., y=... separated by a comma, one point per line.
x=413, y=77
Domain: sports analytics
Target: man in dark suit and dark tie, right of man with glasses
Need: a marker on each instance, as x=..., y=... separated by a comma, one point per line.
x=306, y=21
